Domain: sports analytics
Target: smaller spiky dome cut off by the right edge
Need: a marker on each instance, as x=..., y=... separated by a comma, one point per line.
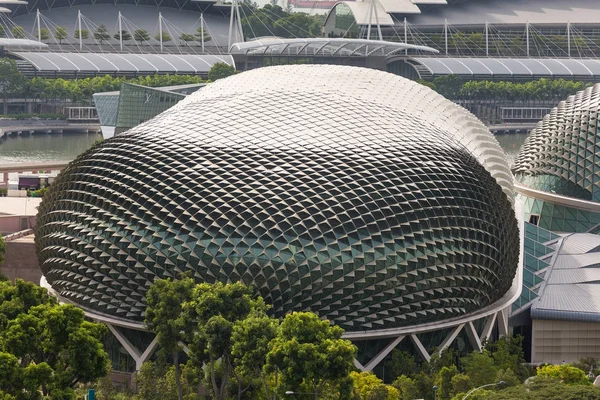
x=561, y=153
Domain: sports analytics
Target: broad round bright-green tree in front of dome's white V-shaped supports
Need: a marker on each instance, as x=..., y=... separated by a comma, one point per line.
x=309, y=351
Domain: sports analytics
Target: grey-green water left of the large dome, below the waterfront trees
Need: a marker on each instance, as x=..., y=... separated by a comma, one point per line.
x=44, y=148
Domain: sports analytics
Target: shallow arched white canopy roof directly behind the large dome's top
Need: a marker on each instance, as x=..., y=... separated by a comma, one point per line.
x=323, y=47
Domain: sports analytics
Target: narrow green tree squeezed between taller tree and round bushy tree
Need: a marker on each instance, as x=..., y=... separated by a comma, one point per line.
x=251, y=337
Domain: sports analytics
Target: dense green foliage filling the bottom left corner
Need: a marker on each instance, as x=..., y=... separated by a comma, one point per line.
x=55, y=346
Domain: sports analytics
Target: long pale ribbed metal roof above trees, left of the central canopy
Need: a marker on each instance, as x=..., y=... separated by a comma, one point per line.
x=122, y=63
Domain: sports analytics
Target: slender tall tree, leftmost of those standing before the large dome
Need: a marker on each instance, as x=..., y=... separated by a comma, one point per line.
x=164, y=300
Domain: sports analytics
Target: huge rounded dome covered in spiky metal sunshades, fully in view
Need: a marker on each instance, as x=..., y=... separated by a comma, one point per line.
x=362, y=196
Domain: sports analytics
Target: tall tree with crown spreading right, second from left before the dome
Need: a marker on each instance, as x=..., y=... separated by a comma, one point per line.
x=212, y=314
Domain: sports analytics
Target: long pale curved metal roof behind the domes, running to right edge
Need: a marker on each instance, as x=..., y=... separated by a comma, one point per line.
x=508, y=67
